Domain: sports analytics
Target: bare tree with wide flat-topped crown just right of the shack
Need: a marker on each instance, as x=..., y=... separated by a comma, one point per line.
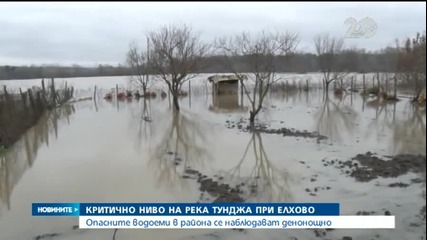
x=257, y=54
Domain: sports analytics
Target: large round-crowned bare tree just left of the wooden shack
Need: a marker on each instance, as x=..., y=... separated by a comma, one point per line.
x=175, y=54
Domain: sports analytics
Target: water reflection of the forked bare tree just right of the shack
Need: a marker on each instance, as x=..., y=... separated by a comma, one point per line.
x=264, y=180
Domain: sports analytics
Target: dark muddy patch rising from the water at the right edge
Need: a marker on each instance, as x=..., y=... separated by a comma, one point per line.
x=368, y=166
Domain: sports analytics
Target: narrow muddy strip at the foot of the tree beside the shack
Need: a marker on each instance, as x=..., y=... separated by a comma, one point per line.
x=243, y=126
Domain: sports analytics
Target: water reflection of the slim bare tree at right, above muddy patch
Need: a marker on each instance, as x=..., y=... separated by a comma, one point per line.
x=335, y=119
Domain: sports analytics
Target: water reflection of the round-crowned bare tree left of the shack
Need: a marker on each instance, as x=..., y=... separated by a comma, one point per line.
x=183, y=144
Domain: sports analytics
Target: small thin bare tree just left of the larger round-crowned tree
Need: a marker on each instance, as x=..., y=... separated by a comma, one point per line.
x=137, y=61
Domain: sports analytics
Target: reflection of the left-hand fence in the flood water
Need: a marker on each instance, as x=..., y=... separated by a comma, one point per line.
x=22, y=154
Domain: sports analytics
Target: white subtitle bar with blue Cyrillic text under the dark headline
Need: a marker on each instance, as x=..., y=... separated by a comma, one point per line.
x=241, y=222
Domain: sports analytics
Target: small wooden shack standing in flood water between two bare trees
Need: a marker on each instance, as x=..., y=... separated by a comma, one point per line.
x=226, y=84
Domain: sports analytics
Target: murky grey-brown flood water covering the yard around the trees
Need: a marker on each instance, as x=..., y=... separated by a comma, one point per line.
x=127, y=152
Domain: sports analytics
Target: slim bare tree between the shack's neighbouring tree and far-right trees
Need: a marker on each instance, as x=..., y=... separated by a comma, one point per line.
x=328, y=50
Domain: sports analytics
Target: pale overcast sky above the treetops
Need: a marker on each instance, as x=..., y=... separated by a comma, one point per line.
x=99, y=33
